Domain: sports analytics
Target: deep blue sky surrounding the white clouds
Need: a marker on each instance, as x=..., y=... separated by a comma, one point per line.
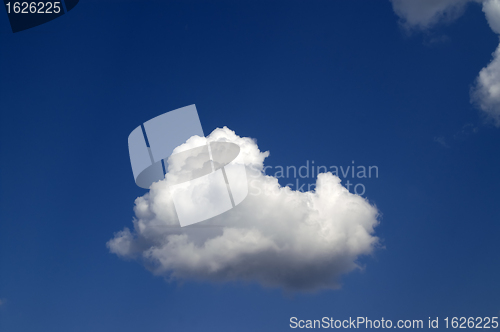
x=329, y=81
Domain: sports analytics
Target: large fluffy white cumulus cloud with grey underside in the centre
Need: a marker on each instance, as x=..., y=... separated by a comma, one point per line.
x=278, y=237
